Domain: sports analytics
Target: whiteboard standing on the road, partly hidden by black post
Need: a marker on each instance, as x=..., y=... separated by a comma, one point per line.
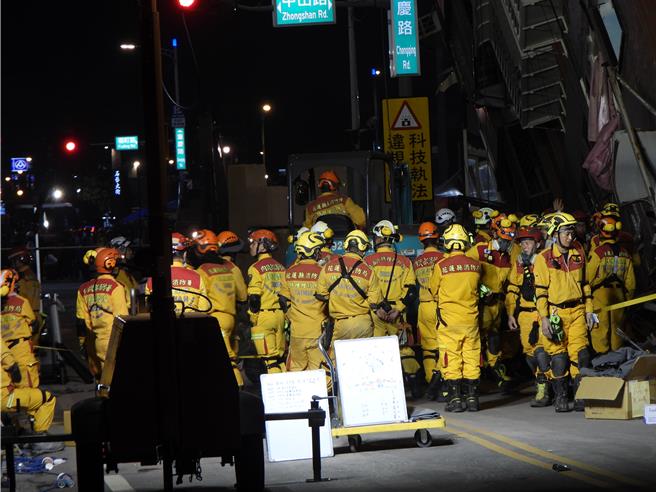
x=292, y=392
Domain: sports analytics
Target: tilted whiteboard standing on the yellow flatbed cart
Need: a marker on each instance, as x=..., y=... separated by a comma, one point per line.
x=370, y=381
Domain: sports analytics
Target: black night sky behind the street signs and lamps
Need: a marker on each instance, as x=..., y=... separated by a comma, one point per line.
x=64, y=75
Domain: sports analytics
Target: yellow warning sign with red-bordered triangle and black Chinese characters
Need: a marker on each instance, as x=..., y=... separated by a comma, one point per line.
x=406, y=130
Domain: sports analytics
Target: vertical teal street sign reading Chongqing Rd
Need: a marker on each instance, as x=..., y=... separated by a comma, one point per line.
x=404, y=41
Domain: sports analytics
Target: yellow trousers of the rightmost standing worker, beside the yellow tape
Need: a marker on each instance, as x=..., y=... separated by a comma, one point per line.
x=603, y=336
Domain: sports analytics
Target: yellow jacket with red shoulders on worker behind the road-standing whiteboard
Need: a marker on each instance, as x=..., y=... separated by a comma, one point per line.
x=306, y=313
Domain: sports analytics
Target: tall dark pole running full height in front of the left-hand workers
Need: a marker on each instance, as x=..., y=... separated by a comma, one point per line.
x=161, y=302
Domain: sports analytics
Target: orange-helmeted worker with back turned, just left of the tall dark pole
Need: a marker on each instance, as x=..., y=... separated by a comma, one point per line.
x=99, y=302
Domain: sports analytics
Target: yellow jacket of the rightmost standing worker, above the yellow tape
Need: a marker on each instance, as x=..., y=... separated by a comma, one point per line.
x=610, y=263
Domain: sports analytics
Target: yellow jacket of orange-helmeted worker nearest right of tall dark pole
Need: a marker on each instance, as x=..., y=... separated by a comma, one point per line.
x=222, y=286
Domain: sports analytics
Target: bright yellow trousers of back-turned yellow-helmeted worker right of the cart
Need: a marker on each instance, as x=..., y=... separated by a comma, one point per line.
x=460, y=351
